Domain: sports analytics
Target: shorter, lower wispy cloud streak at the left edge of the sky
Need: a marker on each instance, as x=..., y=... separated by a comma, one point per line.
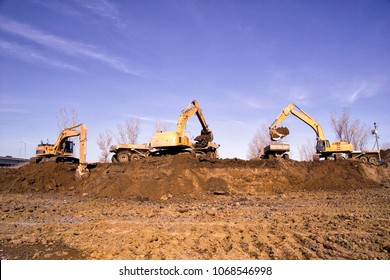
x=30, y=55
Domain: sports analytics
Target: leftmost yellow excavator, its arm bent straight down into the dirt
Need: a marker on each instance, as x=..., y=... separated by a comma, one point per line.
x=62, y=149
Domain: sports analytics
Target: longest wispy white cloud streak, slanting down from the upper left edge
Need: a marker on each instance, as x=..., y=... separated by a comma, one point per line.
x=63, y=46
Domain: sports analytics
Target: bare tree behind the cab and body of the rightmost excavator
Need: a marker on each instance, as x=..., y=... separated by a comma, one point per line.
x=349, y=130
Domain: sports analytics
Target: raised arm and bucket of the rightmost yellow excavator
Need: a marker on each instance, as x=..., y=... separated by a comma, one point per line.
x=277, y=133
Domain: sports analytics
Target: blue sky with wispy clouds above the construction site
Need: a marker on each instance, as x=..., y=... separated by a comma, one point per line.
x=243, y=61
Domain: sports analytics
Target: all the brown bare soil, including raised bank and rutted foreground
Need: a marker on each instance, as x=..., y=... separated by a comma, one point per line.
x=183, y=208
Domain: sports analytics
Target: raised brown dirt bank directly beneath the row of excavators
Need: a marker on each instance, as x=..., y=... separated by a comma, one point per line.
x=184, y=177
